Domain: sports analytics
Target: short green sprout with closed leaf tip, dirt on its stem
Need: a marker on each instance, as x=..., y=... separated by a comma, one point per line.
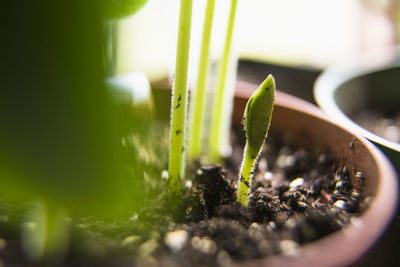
x=257, y=118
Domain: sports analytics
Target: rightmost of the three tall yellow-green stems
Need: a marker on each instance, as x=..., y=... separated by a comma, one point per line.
x=215, y=138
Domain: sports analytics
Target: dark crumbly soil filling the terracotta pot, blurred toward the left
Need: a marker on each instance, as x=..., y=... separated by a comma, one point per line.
x=298, y=196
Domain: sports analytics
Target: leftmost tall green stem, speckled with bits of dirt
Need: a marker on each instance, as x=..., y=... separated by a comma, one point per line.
x=178, y=102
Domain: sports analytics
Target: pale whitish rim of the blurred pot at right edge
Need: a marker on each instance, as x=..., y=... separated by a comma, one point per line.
x=341, y=72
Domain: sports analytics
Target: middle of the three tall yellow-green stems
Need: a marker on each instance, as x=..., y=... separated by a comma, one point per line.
x=198, y=108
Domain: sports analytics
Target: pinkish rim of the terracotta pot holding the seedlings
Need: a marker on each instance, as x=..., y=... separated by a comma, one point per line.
x=347, y=245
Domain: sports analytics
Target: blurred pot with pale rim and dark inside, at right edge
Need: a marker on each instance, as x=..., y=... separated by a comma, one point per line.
x=366, y=81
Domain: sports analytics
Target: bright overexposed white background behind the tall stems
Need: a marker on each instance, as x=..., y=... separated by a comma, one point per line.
x=307, y=35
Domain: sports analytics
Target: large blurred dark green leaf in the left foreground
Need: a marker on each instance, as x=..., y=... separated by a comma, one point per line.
x=58, y=136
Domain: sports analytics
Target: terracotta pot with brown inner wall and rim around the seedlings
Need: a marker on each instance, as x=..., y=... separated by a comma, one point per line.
x=314, y=129
